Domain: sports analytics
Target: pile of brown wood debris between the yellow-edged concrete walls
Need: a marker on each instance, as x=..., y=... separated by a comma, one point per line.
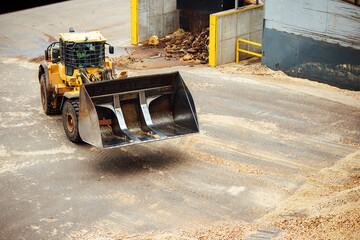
x=186, y=45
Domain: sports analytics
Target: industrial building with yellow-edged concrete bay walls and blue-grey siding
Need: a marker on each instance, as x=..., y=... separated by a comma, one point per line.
x=318, y=40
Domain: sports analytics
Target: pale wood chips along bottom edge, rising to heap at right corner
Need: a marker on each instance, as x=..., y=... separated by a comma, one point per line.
x=327, y=206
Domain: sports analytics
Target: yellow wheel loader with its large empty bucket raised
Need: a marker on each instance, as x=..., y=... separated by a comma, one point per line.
x=78, y=81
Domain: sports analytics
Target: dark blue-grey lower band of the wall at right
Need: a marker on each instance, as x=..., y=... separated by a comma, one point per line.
x=312, y=59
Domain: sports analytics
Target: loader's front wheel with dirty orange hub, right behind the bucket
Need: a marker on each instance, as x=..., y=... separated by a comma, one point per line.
x=70, y=113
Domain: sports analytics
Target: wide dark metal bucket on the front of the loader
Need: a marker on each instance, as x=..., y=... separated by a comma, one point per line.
x=134, y=110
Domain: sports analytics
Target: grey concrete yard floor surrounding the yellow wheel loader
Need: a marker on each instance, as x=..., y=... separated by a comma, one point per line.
x=259, y=140
